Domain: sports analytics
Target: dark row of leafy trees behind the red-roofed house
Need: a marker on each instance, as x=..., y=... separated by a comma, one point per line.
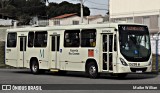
x=23, y=10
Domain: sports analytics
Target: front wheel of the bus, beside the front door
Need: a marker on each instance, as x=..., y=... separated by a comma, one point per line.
x=92, y=70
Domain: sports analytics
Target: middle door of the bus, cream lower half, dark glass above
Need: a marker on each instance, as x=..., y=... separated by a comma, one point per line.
x=54, y=57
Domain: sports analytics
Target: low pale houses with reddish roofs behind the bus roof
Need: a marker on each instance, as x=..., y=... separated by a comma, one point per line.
x=73, y=19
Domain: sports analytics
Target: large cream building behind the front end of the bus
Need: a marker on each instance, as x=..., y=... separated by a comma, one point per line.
x=138, y=11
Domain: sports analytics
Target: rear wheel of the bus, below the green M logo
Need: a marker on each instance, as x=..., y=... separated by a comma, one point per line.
x=34, y=67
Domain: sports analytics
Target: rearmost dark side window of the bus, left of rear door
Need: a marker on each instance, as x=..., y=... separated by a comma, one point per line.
x=11, y=39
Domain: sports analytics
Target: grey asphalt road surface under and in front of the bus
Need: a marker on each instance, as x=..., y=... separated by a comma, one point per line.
x=23, y=76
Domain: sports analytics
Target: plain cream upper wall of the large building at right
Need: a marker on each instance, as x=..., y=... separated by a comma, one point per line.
x=126, y=8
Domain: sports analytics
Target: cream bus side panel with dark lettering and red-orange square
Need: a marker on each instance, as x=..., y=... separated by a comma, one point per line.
x=75, y=58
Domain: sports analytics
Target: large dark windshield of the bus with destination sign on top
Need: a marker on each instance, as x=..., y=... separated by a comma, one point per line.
x=134, y=43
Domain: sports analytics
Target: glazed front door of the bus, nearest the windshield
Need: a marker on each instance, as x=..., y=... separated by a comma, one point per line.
x=107, y=52
